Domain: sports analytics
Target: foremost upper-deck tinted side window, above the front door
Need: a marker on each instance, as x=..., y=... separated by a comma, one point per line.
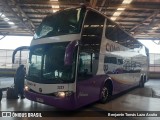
x=92, y=30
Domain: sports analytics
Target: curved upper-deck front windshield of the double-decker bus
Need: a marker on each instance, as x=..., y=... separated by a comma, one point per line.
x=61, y=23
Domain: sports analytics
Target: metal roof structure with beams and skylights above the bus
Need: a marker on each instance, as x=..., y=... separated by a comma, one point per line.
x=141, y=18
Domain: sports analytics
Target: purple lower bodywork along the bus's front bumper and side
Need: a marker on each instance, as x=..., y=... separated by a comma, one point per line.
x=88, y=91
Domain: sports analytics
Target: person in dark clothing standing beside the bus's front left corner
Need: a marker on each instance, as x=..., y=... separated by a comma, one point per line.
x=19, y=80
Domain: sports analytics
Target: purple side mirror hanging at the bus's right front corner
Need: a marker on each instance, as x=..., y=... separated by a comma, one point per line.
x=71, y=47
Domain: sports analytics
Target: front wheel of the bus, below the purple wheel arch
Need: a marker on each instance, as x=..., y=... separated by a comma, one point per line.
x=105, y=94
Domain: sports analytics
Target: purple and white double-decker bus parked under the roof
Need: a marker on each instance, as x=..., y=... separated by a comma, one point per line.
x=67, y=59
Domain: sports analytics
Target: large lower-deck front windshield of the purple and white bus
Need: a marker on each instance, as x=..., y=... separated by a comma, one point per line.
x=47, y=64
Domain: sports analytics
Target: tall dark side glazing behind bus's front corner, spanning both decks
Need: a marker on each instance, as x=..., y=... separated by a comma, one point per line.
x=90, y=40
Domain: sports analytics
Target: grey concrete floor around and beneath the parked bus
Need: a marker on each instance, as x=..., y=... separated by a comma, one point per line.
x=138, y=99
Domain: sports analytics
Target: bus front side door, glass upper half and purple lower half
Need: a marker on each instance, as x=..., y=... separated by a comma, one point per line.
x=87, y=84
